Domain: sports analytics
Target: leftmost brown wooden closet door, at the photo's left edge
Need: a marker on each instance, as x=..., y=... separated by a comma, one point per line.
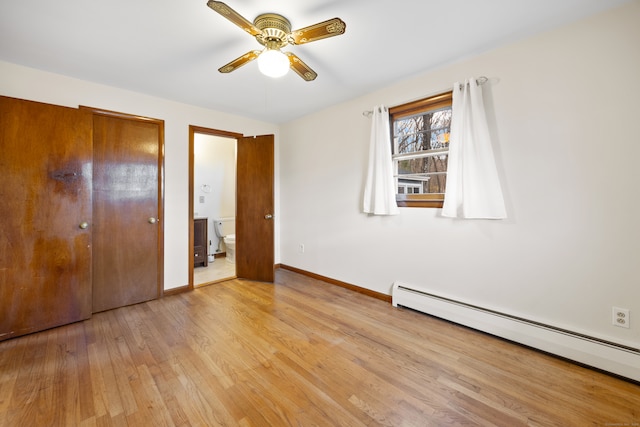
x=45, y=216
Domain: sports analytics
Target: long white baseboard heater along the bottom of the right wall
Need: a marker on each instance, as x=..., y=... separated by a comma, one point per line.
x=601, y=354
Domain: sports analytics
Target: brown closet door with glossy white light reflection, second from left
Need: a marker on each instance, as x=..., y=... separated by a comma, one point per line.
x=126, y=206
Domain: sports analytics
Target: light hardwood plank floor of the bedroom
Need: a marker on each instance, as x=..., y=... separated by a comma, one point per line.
x=300, y=352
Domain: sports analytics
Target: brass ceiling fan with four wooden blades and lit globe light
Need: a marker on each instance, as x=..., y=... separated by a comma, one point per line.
x=273, y=31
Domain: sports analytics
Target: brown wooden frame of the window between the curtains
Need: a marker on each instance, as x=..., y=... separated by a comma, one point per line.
x=435, y=102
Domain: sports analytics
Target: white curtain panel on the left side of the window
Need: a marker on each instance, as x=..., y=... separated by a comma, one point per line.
x=379, y=190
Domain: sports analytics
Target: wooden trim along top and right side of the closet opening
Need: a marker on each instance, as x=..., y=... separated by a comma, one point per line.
x=161, y=185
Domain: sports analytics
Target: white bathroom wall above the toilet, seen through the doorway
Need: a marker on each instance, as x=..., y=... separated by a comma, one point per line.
x=214, y=181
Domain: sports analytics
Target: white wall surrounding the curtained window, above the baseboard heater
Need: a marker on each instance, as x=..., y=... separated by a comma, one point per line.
x=563, y=112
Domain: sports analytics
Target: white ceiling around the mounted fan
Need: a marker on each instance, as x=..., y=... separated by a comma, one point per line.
x=173, y=48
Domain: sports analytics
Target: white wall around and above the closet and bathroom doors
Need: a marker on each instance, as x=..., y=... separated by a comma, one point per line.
x=31, y=84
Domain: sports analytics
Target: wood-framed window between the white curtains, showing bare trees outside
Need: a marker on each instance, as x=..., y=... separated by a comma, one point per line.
x=420, y=138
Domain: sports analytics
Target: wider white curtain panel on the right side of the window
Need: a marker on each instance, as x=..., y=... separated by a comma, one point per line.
x=473, y=188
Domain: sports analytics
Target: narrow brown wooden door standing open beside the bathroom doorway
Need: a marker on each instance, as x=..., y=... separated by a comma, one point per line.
x=254, y=209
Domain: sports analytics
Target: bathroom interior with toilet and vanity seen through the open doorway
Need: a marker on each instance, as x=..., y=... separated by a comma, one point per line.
x=214, y=210
